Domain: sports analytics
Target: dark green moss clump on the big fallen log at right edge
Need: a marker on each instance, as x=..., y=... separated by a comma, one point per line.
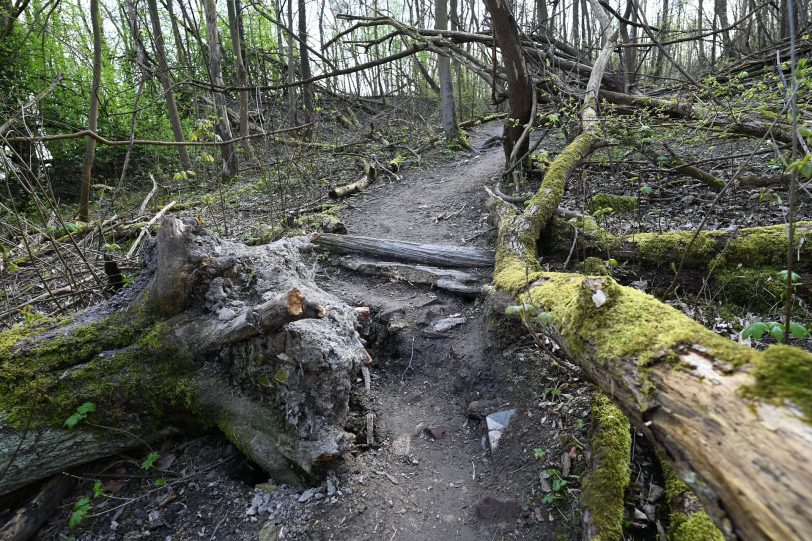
x=783, y=374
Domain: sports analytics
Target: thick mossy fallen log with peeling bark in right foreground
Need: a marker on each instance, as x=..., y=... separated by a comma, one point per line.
x=733, y=422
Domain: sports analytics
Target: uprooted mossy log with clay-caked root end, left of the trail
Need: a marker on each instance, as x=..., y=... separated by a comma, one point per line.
x=213, y=333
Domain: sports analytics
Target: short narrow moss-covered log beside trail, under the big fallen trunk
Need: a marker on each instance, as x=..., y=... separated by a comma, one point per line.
x=603, y=489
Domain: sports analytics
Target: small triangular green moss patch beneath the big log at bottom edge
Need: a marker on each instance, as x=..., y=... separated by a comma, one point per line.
x=696, y=526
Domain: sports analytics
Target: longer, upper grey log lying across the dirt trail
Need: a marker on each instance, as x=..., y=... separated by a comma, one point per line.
x=427, y=254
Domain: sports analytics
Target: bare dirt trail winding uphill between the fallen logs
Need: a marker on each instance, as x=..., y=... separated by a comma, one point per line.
x=409, y=486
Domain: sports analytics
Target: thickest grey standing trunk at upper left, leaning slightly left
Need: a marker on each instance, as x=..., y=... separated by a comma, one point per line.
x=223, y=126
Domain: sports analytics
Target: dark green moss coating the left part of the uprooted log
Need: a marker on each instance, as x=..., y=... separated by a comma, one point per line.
x=123, y=364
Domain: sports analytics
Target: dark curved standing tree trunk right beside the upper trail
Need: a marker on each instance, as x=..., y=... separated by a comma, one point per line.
x=520, y=89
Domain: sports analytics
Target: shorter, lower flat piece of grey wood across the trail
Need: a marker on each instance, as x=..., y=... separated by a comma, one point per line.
x=451, y=280
